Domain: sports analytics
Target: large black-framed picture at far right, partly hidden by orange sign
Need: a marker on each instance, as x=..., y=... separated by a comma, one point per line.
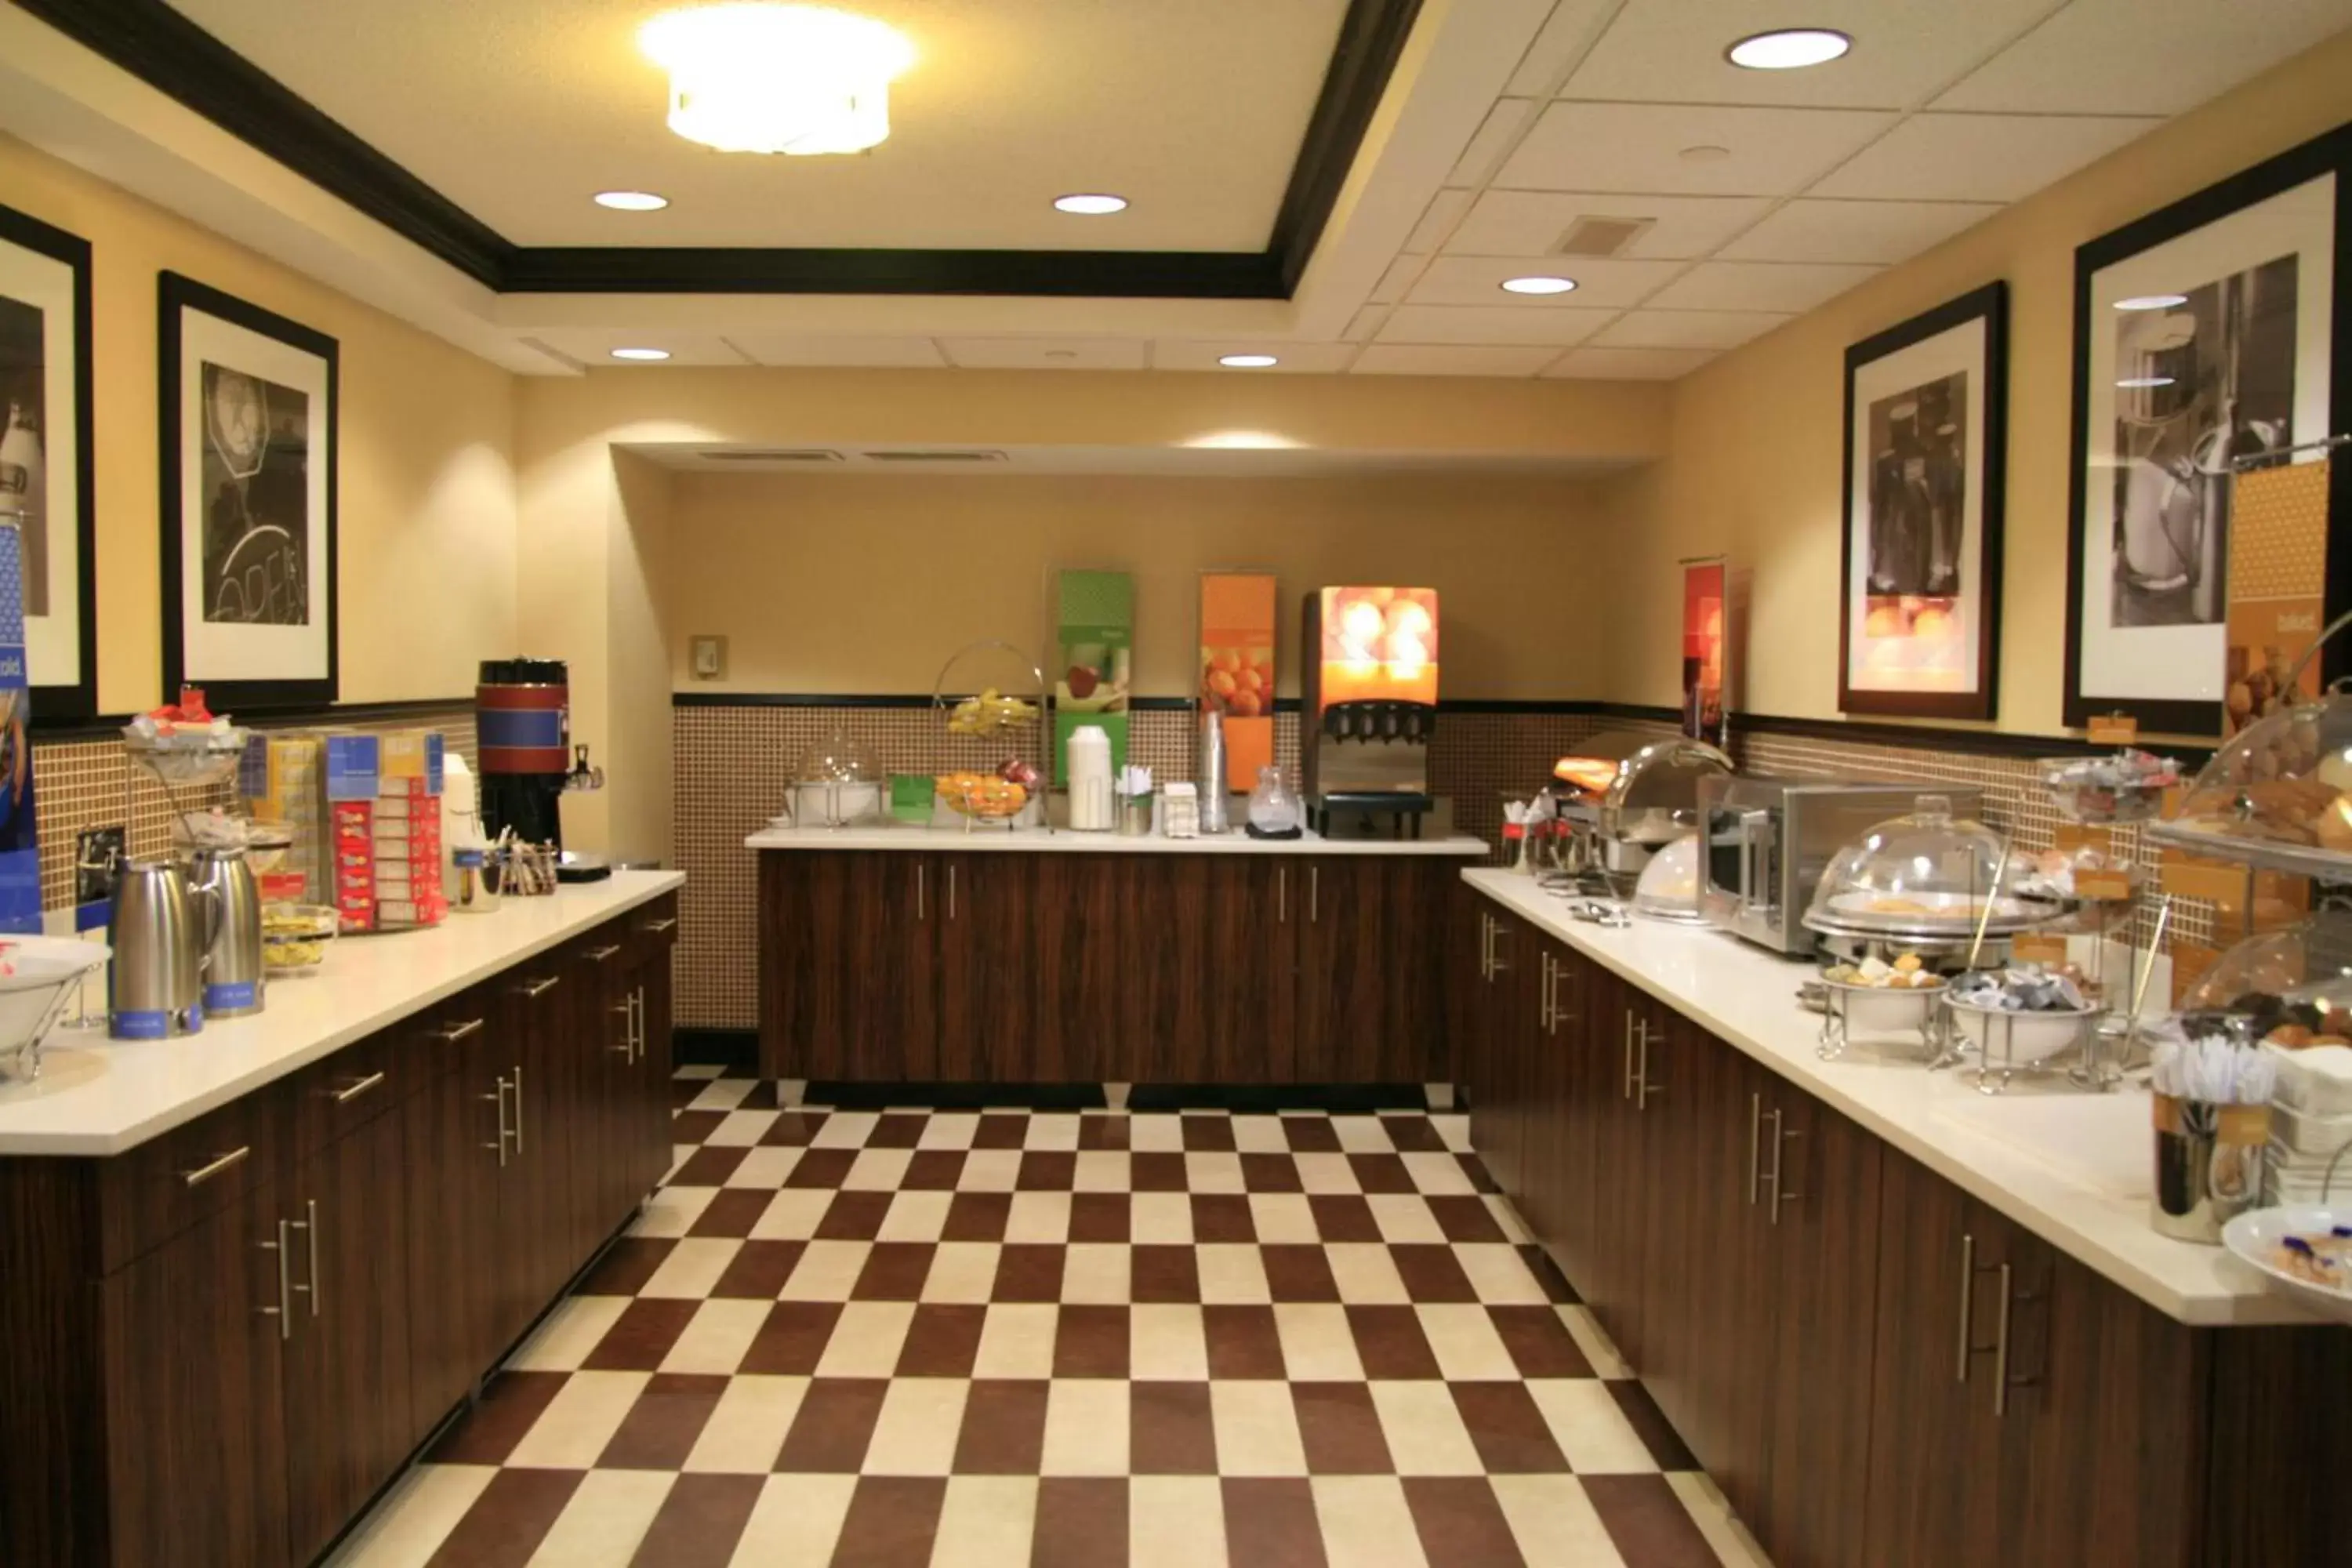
x=2205, y=335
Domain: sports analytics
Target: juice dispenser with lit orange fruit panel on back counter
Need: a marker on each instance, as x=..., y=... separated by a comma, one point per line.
x=1370, y=706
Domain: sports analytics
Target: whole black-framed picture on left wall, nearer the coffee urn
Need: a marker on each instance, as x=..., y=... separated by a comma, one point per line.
x=248, y=502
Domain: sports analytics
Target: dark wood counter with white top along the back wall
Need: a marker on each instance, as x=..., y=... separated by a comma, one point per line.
x=1031, y=958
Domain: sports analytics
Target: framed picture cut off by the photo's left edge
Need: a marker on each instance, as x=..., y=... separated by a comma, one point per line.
x=46, y=457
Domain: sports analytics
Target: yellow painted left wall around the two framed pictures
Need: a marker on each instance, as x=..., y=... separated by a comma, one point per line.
x=427, y=525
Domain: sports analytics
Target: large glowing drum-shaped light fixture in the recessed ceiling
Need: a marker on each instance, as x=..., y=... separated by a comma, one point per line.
x=777, y=79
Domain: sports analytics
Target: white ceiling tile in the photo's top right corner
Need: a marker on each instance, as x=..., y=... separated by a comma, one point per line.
x=2144, y=58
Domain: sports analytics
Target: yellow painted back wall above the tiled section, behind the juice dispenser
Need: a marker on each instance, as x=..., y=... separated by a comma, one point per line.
x=867, y=584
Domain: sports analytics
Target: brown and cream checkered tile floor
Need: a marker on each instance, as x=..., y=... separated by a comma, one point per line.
x=1060, y=1341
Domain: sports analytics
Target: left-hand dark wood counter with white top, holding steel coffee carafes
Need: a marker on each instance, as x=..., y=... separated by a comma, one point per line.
x=243, y=1275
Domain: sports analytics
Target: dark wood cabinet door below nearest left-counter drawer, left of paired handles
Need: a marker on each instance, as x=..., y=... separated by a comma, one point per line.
x=196, y=1395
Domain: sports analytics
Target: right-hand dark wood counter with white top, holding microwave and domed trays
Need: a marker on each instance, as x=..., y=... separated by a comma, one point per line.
x=1897, y=1320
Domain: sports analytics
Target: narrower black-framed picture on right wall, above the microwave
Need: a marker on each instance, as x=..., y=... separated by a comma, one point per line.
x=1923, y=556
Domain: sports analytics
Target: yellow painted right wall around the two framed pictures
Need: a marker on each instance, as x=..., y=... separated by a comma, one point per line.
x=1756, y=441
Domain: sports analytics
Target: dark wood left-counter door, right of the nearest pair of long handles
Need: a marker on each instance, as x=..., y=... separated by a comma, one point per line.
x=347, y=1372
